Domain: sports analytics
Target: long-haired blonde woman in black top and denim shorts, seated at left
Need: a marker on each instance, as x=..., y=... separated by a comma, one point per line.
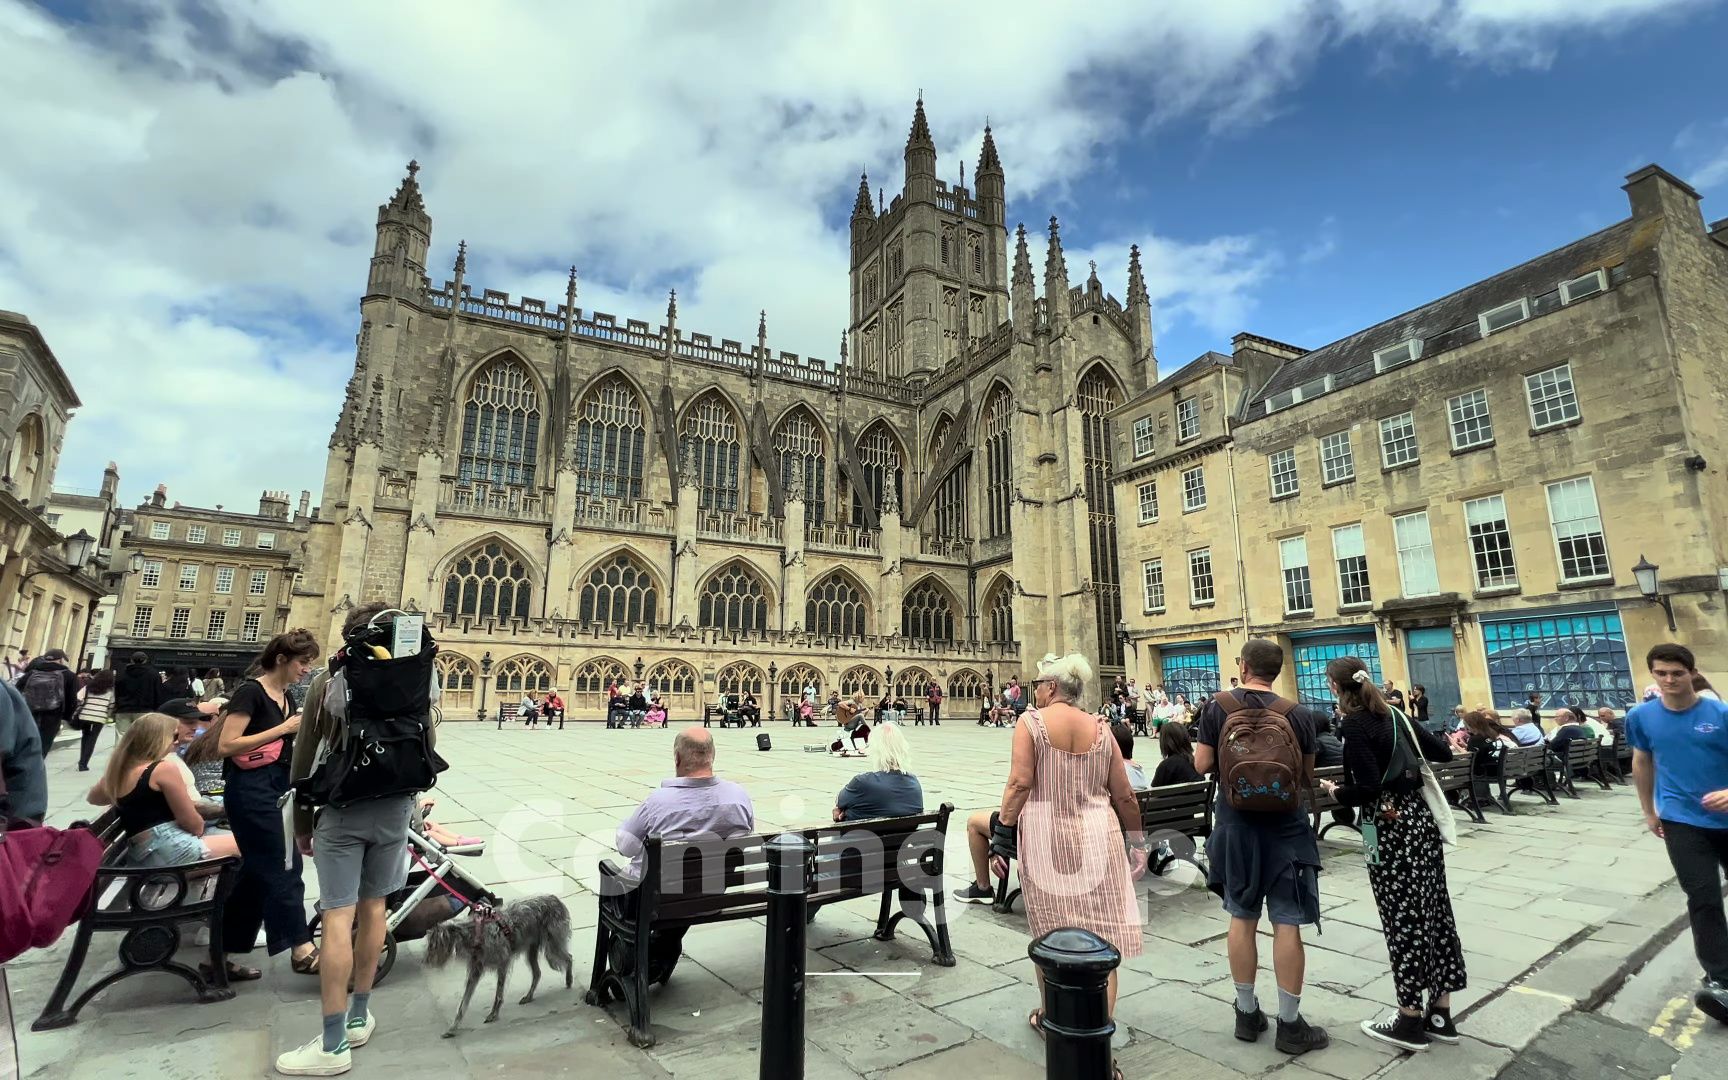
x=144, y=784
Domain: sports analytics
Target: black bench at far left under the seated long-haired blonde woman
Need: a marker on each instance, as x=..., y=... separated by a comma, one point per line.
x=151, y=908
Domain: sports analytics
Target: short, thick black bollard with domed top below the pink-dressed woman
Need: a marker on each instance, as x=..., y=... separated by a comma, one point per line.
x=1077, y=1024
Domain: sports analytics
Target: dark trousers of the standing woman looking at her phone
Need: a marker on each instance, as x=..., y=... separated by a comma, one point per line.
x=267, y=894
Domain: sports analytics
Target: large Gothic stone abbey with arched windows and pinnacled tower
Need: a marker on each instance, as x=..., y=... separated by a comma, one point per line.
x=578, y=499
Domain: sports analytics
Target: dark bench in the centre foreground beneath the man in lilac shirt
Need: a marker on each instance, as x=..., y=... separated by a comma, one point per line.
x=898, y=858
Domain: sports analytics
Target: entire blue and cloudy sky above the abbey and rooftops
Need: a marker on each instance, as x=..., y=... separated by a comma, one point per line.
x=193, y=224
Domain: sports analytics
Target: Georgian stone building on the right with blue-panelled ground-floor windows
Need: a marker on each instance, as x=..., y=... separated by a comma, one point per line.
x=1461, y=493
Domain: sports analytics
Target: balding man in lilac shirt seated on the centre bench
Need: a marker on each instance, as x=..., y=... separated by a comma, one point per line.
x=692, y=804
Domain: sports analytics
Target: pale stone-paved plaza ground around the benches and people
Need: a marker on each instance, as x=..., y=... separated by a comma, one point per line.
x=1566, y=891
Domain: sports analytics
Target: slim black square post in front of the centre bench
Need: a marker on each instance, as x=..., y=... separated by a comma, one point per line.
x=784, y=958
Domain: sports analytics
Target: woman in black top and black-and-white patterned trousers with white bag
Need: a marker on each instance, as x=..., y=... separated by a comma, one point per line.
x=1407, y=863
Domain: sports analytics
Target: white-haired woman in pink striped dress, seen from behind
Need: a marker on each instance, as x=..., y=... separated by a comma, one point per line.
x=1070, y=799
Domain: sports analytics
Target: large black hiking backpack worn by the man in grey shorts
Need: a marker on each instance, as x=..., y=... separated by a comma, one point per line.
x=383, y=713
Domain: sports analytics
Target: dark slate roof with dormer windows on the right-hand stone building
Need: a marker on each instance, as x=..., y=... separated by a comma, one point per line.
x=1451, y=322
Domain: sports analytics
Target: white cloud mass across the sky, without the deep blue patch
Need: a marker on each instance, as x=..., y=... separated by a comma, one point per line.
x=187, y=200
